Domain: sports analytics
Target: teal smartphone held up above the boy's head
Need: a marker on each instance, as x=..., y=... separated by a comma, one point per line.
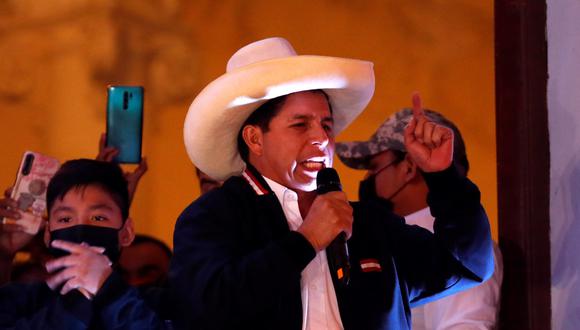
x=125, y=122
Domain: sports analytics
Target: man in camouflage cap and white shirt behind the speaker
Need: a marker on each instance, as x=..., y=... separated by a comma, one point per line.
x=393, y=177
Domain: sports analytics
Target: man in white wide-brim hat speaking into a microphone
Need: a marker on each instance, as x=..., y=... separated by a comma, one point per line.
x=252, y=253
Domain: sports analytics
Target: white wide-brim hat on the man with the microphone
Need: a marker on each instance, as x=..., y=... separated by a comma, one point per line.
x=259, y=72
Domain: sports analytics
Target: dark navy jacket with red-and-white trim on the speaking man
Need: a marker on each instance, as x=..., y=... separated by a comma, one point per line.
x=237, y=265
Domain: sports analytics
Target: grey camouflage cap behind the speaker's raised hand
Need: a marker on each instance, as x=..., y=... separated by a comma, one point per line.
x=390, y=136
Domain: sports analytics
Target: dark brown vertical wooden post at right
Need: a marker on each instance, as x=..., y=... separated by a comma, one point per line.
x=523, y=162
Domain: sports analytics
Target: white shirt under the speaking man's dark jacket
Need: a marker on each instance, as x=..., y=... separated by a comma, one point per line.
x=319, y=304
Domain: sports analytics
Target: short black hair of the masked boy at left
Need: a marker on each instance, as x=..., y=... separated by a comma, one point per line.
x=80, y=173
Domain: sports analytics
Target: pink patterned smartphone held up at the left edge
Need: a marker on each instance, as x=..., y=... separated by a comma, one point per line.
x=29, y=190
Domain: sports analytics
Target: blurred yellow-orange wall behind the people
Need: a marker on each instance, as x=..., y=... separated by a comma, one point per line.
x=54, y=70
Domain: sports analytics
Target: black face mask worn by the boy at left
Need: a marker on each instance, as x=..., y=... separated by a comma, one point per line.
x=92, y=235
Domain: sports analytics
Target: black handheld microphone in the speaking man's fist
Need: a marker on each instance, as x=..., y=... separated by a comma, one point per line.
x=337, y=252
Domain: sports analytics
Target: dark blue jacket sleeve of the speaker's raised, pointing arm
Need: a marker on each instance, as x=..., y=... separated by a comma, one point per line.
x=459, y=254
